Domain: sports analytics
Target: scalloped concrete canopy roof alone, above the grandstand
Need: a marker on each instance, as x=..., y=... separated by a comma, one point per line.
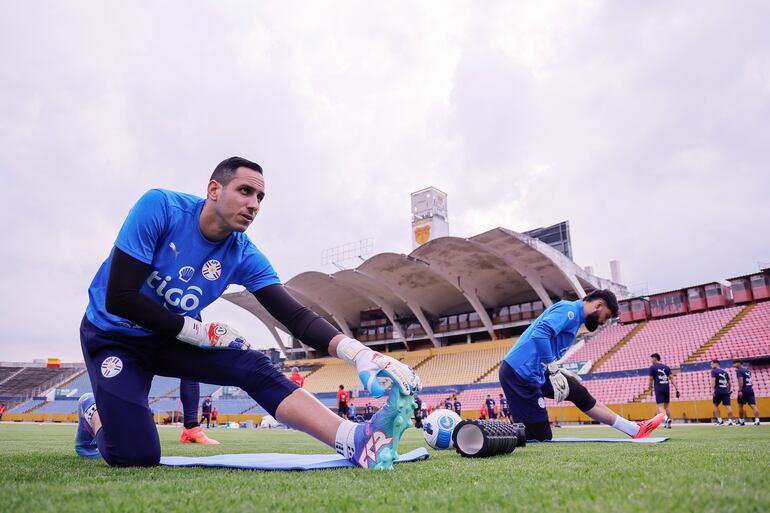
x=445, y=276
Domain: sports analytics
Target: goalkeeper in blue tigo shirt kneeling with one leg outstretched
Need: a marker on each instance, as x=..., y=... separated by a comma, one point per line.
x=175, y=255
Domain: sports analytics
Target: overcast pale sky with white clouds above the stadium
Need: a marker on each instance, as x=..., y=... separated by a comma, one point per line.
x=643, y=124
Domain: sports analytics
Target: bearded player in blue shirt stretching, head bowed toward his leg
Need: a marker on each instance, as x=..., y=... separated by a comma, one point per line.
x=528, y=372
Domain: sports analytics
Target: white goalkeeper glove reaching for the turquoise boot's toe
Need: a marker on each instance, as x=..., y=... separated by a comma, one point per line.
x=371, y=364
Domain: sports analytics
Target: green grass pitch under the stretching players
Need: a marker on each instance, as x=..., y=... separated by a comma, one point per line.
x=701, y=469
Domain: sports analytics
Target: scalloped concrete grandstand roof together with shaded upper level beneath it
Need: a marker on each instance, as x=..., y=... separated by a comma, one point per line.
x=448, y=291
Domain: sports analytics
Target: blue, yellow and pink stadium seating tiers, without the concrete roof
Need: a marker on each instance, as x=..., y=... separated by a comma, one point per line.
x=613, y=363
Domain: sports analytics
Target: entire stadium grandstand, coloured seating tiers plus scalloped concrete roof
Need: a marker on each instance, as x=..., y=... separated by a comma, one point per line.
x=452, y=308
